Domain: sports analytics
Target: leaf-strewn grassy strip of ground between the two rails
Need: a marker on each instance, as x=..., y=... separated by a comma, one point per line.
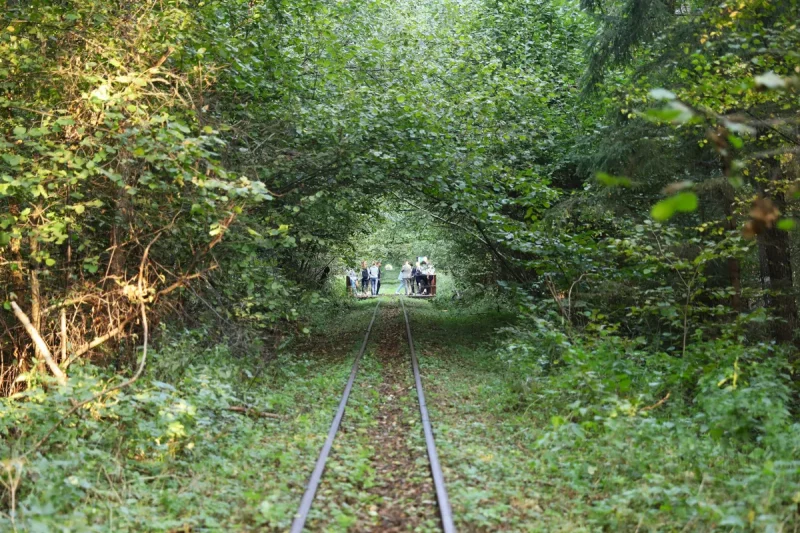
x=379, y=478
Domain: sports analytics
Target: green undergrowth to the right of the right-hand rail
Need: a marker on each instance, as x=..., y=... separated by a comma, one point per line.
x=548, y=433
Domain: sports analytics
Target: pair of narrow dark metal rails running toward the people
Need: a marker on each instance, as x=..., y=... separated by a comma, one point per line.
x=442, y=499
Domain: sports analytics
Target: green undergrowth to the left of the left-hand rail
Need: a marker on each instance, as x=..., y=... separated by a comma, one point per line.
x=168, y=453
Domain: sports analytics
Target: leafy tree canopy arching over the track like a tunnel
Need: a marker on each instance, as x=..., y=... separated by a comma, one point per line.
x=148, y=146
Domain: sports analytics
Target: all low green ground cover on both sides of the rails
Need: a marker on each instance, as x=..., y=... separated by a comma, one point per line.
x=536, y=430
